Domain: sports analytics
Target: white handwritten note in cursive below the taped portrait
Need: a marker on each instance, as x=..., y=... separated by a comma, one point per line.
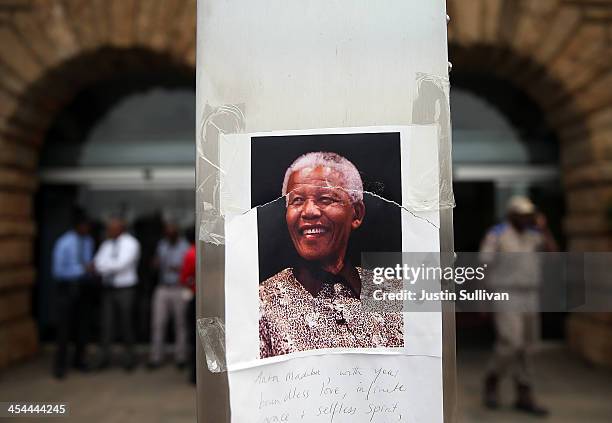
x=339, y=388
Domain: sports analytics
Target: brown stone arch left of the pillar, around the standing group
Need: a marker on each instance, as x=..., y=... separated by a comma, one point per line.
x=50, y=51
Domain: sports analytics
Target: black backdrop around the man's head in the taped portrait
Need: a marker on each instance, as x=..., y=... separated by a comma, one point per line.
x=376, y=156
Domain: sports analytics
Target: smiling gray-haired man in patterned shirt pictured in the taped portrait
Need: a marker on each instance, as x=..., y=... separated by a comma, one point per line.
x=314, y=302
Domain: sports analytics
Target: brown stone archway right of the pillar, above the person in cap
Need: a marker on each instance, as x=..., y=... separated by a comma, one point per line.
x=559, y=53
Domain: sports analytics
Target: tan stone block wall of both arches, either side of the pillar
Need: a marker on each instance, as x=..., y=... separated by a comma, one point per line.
x=557, y=51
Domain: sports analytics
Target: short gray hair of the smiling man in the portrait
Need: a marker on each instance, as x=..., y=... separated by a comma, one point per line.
x=351, y=180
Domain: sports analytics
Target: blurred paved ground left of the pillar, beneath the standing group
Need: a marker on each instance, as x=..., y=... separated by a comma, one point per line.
x=111, y=396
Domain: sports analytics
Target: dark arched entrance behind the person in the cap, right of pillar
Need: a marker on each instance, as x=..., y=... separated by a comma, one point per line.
x=501, y=147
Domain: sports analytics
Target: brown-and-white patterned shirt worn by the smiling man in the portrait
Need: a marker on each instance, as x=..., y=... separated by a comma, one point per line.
x=292, y=319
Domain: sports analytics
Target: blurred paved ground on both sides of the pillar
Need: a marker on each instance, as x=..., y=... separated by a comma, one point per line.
x=575, y=392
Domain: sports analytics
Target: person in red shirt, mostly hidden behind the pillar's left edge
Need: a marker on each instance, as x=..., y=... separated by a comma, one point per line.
x=188, y=279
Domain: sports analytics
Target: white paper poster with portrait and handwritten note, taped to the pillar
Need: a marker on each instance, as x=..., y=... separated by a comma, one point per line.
x=301, y=200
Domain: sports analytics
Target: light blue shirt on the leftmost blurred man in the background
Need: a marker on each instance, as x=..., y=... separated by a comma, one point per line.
x=71, y=254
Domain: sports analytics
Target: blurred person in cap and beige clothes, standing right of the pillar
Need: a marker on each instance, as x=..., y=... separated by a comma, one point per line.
x=517, y=332
